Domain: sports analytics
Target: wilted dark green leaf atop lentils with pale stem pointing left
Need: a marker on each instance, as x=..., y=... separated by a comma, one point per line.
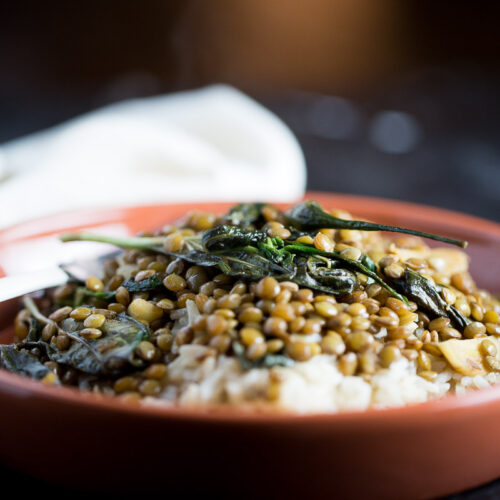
x=252, y=254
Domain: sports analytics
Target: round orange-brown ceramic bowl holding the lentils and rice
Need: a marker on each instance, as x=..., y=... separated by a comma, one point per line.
x=91, y=442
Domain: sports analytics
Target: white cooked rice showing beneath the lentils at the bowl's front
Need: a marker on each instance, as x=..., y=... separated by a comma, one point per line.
x=197, y=378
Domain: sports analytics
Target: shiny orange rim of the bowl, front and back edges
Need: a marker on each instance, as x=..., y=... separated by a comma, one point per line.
x=23, y=387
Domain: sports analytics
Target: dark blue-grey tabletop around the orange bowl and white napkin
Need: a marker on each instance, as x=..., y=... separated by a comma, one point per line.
x=432, y=138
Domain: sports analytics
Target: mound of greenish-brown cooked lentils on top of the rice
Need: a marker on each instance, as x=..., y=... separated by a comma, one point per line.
x=367, y=330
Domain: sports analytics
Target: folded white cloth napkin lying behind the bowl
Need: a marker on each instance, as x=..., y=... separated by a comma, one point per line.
x=210, y=144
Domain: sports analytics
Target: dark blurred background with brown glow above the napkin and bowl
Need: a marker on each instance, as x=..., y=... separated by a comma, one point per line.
x=387, y=98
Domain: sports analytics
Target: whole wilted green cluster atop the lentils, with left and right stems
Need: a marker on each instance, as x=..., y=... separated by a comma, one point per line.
x=241, y=248
